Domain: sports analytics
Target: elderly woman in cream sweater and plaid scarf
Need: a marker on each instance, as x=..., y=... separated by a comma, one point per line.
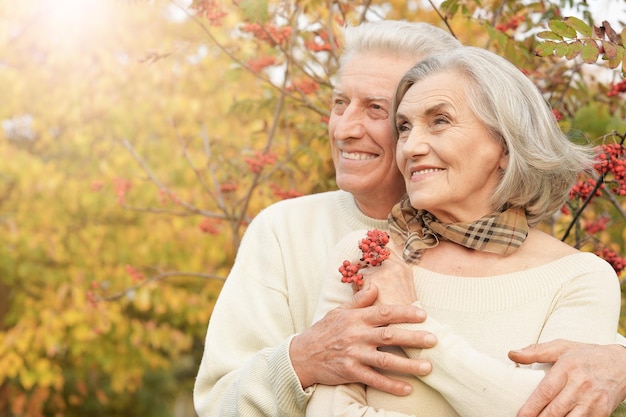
x=484, y=162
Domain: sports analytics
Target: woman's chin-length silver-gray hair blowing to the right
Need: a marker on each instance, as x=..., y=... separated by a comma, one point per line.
x=543, y=163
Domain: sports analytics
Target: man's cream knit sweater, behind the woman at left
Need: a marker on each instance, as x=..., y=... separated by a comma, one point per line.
x=270, y=295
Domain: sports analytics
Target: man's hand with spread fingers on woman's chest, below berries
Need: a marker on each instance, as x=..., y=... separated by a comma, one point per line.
x=342, y=347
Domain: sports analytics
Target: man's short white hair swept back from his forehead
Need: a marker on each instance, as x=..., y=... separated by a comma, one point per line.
x=396, y=37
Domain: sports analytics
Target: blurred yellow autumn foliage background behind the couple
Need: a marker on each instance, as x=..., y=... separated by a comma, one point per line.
x=140, y=137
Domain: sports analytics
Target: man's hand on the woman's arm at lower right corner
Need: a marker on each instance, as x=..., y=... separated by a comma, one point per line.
x=585, y=381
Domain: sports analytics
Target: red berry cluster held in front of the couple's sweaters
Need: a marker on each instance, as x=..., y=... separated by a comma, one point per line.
x=374, y=253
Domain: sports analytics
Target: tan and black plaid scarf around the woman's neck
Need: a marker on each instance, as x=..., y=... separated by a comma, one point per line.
x=415, y=230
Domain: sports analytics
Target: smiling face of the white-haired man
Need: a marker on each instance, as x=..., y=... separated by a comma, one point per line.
x=362, y=145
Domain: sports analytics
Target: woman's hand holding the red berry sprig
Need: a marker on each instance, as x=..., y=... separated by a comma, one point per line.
x=394, y=280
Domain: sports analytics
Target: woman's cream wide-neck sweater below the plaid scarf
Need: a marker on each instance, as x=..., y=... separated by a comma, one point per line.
x=477, y=320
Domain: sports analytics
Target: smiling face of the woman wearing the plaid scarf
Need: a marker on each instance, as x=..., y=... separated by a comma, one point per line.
x=450, y=162
